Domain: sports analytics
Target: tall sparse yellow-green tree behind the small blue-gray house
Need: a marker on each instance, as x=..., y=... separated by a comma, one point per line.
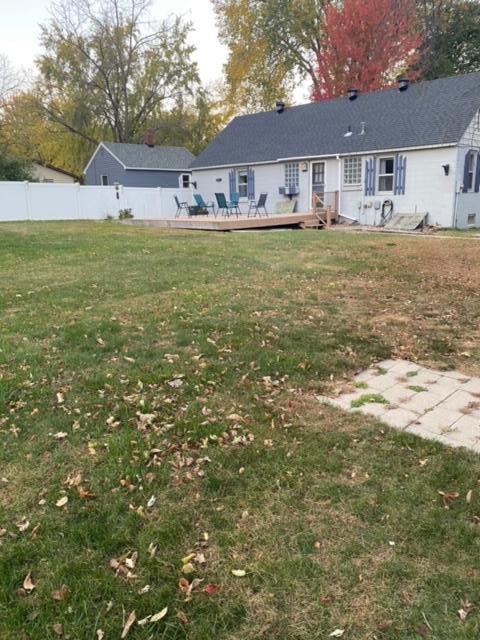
x=103, y=71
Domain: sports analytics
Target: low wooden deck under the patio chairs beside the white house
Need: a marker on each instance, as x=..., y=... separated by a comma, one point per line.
x=209, y=223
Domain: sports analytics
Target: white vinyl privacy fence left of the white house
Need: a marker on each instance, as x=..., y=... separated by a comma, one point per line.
x=46, y=201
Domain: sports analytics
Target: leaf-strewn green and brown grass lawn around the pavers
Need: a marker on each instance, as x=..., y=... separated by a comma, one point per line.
x=157, y=400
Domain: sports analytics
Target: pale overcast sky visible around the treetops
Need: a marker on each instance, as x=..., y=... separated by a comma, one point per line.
x=19, y=31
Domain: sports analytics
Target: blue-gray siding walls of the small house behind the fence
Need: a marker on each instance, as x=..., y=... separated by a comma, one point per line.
x=104, y=164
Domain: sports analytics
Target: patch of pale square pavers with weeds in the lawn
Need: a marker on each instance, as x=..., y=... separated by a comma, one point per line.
x=437, y=405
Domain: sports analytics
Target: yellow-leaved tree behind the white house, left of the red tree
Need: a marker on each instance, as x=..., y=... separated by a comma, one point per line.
x=272, y=45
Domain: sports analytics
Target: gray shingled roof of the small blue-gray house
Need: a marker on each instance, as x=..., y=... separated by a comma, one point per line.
x=139, y=156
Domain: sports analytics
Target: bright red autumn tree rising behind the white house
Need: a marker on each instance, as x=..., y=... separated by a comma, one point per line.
x=366, y=44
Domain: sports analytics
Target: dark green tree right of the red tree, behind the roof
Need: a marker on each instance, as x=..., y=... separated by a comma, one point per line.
x=451, y=37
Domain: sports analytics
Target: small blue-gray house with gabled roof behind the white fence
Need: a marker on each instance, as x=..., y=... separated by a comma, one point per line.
x=139, y=165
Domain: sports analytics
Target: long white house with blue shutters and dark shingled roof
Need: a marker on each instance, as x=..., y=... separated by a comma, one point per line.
x=410, y=149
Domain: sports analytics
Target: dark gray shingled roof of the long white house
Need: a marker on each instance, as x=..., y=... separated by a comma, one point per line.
x=427, y=113
